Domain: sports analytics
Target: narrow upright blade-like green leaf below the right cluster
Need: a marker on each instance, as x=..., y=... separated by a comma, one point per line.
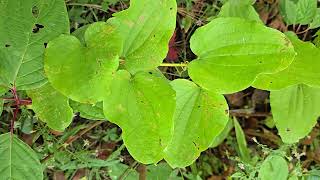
x=242, y=143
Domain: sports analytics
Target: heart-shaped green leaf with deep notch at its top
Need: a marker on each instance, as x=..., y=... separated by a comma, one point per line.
x=84, y=73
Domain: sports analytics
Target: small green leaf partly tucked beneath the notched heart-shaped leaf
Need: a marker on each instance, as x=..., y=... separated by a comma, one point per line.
x=51, y=107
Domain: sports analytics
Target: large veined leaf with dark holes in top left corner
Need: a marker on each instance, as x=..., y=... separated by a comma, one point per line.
x=25, y=26
